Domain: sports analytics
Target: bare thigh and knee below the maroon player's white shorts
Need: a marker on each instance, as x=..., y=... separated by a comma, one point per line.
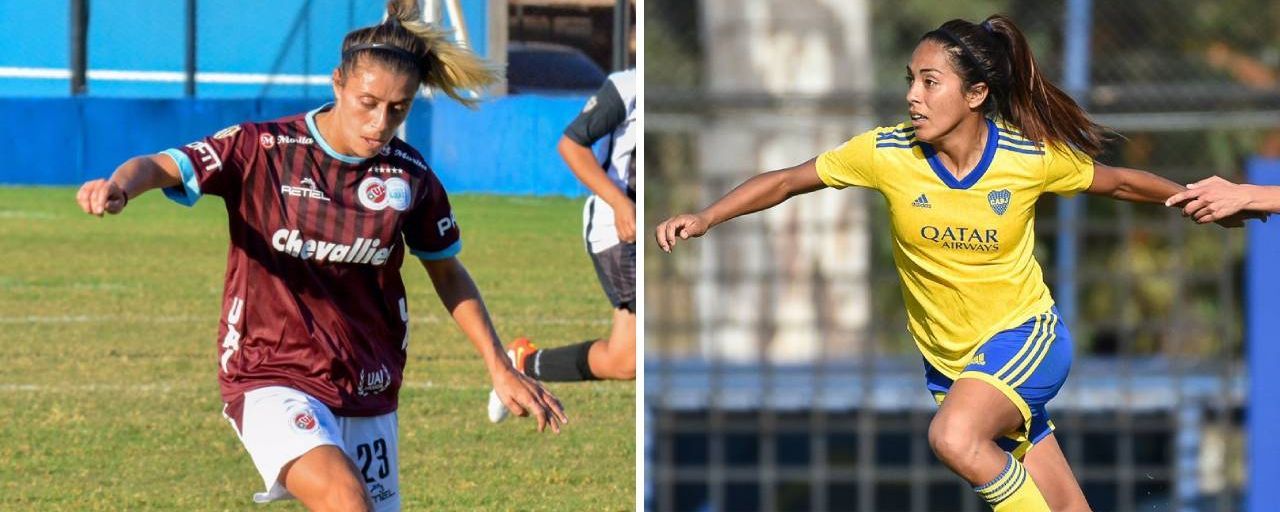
x=324, y=479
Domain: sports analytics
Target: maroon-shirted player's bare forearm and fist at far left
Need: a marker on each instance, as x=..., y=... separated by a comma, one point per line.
x=136, y=176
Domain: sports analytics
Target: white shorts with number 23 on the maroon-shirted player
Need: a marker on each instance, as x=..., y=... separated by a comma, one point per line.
x=280, y=424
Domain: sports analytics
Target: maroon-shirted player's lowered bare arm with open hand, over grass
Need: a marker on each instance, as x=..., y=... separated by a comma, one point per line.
x=522, y=395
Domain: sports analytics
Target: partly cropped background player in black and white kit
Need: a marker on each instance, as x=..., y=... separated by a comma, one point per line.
x=610, y=232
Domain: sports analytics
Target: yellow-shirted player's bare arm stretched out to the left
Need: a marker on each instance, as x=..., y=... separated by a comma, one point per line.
x=761, y=193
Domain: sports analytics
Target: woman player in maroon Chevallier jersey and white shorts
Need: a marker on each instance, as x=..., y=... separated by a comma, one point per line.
x=322, y=208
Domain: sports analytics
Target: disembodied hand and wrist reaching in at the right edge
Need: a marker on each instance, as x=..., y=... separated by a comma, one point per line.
x=1215, y=199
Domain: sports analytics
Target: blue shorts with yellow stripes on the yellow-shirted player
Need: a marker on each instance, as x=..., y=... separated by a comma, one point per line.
x=1028, y=364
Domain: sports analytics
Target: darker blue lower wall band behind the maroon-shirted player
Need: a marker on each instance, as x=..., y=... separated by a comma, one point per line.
x=506, y=147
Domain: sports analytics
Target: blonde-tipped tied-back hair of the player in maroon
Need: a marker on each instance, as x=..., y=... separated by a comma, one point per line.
x=405, y=44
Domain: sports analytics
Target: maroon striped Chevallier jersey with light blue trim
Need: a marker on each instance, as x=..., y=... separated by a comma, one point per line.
x=314, y=298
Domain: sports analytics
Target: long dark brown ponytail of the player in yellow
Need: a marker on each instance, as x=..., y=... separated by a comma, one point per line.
x=996, y=53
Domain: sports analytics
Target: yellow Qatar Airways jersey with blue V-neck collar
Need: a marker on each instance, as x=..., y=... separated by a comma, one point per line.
x=963, y=249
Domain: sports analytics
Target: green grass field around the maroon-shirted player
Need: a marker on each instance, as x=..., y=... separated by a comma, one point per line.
x=109, y=378
